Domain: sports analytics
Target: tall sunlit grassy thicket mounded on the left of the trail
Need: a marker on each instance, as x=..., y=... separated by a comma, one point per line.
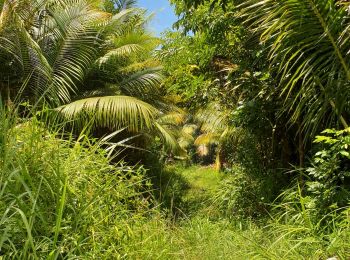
x=61, y=198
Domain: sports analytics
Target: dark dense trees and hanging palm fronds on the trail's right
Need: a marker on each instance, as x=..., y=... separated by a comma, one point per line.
x=267, y=85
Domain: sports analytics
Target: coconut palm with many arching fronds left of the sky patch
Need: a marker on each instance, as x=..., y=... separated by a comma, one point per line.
x=59, y=45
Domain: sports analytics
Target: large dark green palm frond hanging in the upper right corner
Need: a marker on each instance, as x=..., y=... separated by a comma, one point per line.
x=309, y=48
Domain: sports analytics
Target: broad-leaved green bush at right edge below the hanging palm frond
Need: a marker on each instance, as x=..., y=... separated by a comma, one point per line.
x=329, y=177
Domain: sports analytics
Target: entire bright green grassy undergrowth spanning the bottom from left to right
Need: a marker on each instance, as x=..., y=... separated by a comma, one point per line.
x=64, y=198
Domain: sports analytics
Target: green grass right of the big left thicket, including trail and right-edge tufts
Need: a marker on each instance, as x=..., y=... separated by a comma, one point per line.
x=213, y=228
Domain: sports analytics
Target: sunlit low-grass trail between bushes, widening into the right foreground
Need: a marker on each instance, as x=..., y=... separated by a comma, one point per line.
x=201, y=231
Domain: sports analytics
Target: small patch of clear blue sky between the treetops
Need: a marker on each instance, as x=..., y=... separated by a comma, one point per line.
x=164, y=14
